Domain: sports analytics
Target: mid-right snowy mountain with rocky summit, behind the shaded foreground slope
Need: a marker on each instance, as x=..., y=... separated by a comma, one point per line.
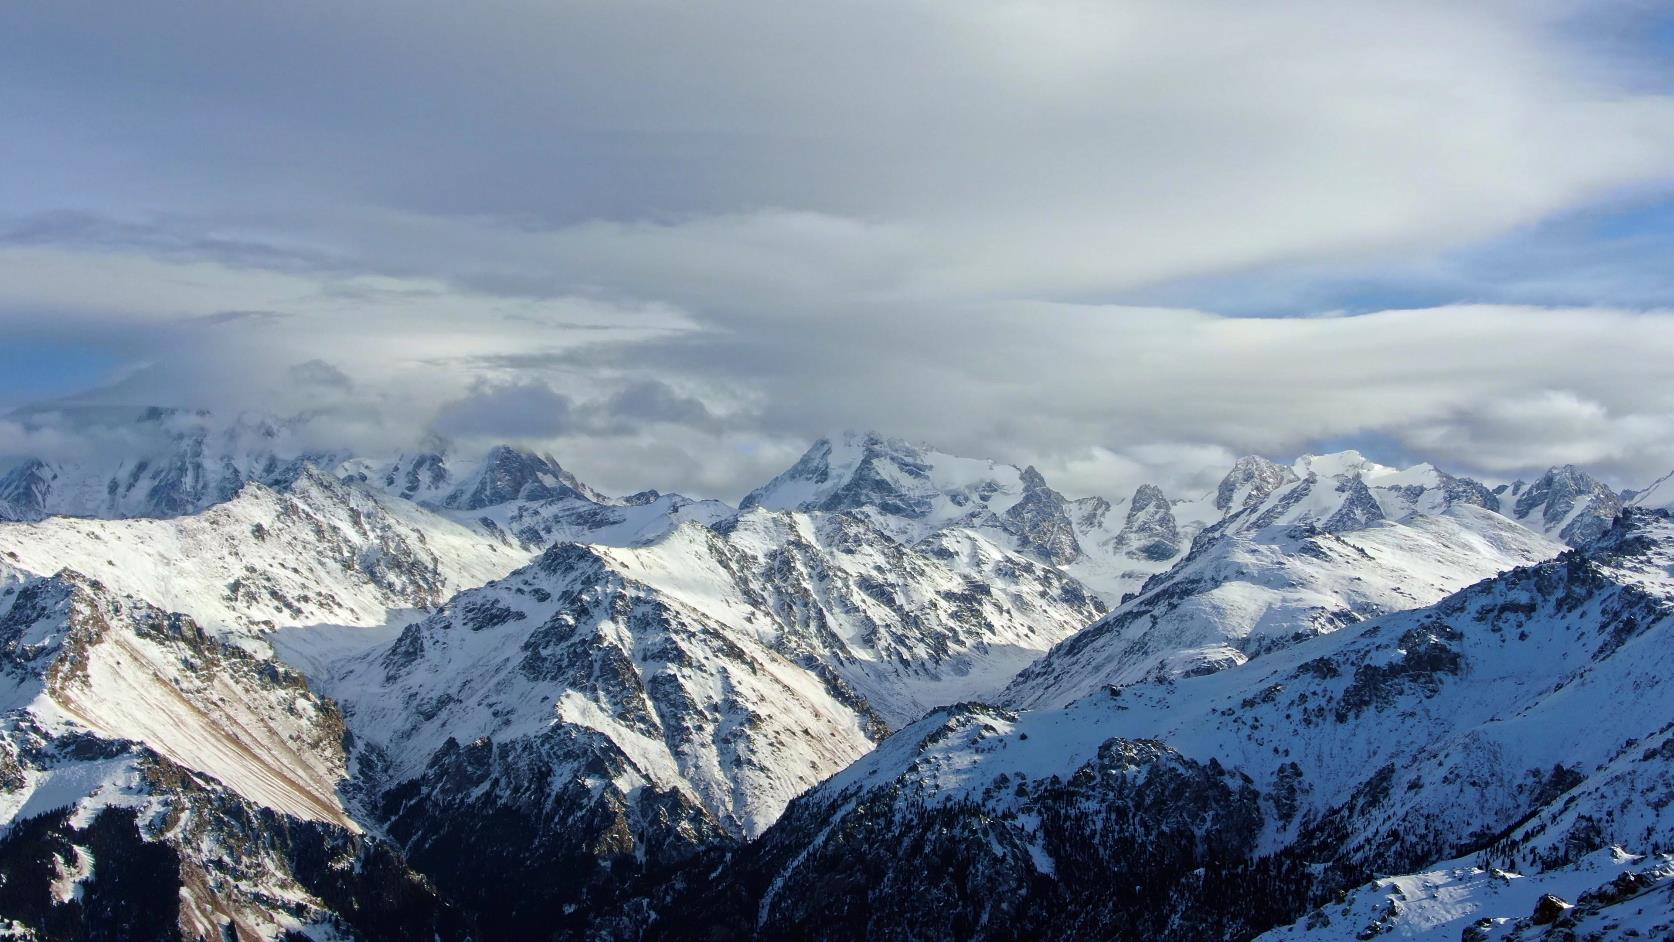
x=1345, y=543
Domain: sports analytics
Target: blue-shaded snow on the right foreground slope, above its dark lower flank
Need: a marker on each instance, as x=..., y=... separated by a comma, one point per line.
x=1469, y=705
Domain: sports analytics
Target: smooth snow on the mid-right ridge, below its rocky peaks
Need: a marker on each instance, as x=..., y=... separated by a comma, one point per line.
x=1255, y=590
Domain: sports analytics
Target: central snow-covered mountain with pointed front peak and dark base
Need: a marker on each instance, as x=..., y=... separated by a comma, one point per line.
x=642, y=704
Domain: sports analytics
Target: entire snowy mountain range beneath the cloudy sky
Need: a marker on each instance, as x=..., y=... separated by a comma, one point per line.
x=264, y=692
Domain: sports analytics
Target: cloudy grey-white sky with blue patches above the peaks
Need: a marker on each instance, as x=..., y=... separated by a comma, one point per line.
x=674, y=243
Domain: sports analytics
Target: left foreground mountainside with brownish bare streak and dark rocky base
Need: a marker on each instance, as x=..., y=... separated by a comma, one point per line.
x=160, y=784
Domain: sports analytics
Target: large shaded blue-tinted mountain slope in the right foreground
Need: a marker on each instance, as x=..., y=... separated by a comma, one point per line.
x=1526, y=719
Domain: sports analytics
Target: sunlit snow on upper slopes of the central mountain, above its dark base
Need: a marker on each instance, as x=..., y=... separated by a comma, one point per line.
x=734, y=622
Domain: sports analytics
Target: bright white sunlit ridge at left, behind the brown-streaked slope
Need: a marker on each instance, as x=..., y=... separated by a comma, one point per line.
x=314, y=553
